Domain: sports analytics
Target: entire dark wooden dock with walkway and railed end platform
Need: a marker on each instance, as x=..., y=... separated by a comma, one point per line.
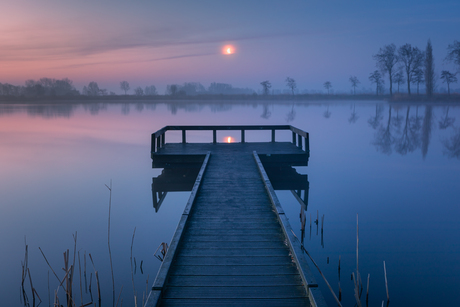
x=233, y=245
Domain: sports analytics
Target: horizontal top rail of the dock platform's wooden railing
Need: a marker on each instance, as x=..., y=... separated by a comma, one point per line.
x=233, y=127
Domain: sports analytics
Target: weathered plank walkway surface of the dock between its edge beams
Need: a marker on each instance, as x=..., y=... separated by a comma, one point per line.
x=233, y=251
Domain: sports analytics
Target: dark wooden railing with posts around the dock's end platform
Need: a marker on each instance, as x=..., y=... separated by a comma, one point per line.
x=300, y=138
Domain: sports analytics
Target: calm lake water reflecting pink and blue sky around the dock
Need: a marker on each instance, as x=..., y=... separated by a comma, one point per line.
x=397, y=166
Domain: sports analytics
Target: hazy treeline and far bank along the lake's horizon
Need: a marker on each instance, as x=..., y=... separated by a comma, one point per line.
x=404, y=65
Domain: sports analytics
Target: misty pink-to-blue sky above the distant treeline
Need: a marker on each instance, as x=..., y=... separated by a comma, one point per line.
x=161, y=42
